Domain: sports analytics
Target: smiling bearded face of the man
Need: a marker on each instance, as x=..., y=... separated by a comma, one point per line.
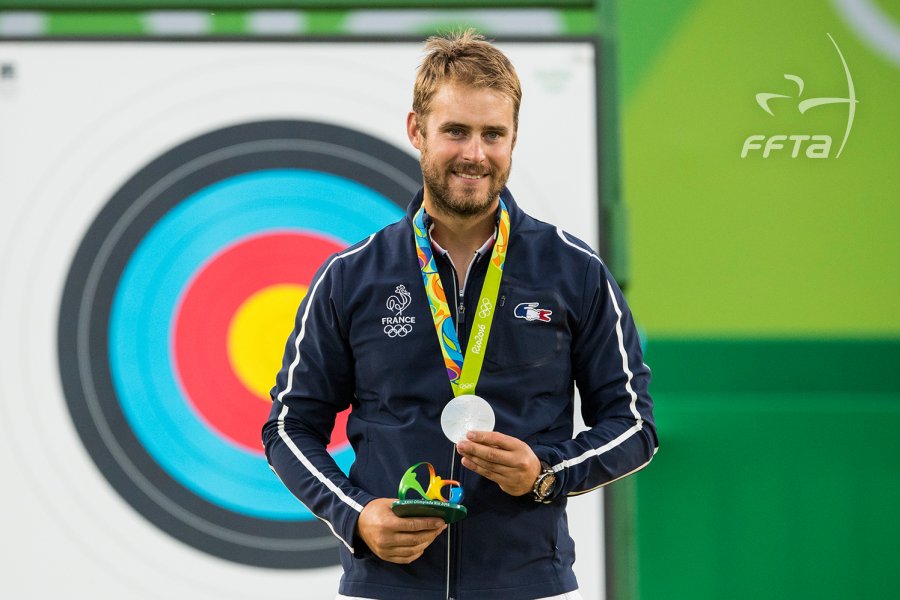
x=466, y=141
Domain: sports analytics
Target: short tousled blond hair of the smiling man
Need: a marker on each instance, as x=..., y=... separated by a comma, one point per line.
x=466, y=58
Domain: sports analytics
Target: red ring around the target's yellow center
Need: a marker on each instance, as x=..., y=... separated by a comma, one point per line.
x=208, y=372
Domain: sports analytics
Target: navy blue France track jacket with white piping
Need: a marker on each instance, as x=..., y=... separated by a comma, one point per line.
x=349, y=348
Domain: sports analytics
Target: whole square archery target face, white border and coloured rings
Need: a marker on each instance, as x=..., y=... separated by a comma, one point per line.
x=167, y=205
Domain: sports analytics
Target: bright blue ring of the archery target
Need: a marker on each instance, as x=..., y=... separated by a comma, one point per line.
x=144, y=306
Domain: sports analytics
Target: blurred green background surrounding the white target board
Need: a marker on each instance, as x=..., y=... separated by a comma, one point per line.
x=766, y=287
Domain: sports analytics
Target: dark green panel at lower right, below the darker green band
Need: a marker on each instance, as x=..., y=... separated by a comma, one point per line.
x=771, y=495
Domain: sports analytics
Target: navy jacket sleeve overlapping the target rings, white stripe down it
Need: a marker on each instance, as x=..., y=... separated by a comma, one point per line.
x=314, y=384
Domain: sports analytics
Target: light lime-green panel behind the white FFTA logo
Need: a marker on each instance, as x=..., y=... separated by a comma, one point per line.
x=760, y=247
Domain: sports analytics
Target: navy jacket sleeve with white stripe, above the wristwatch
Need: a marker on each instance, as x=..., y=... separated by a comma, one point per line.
x=612, y=381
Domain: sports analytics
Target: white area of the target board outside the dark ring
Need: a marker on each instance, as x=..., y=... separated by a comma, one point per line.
x=79, y=119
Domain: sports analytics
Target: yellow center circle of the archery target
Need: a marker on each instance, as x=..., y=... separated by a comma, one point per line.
x=258, y=332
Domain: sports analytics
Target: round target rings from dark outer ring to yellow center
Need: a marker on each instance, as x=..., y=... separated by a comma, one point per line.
x=176, y=310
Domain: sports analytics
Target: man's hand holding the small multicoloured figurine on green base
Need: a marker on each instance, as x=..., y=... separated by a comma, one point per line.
x=396, y=539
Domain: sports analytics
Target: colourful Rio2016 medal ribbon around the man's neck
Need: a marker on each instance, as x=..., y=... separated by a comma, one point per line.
x=462, y=371
